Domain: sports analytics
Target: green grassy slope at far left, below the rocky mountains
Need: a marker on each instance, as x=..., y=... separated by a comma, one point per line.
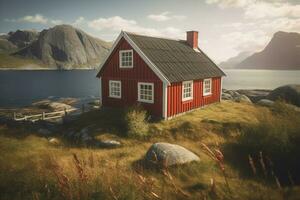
x=9, y=61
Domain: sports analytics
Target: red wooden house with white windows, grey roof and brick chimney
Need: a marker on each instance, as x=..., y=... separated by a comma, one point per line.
x=168, y=77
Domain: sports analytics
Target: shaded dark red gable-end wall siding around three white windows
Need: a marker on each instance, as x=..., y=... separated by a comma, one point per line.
x=129, y=78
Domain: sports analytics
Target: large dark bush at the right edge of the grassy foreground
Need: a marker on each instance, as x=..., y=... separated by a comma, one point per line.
x=278, y=139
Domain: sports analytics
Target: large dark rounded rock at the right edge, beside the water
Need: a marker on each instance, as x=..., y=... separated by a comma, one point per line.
x=288, y=93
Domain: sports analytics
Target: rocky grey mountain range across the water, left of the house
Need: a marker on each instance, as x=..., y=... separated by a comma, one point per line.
x=60, y=47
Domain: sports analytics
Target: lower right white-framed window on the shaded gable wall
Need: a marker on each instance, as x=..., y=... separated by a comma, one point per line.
x=146, y=92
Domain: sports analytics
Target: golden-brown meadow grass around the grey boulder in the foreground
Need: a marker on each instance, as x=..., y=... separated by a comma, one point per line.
x=33, y=168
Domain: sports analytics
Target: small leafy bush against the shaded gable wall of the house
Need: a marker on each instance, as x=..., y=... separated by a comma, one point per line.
x=136, y=121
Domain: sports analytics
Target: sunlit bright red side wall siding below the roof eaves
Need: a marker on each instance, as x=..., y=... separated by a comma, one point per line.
x=176, y=105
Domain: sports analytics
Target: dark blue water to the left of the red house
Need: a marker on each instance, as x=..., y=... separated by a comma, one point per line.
x=20, y=88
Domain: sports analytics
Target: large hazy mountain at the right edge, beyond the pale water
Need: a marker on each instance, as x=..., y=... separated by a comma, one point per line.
x=282, y=52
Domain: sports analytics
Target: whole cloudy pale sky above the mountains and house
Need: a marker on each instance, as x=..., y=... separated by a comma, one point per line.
x=226, y=27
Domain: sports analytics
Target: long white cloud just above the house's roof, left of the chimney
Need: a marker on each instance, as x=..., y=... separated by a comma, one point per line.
x=118, y=23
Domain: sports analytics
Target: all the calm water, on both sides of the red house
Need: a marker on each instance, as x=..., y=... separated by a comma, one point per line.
x=20, y=88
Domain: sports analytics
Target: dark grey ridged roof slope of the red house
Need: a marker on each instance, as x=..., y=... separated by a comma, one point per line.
x=176, y=59
